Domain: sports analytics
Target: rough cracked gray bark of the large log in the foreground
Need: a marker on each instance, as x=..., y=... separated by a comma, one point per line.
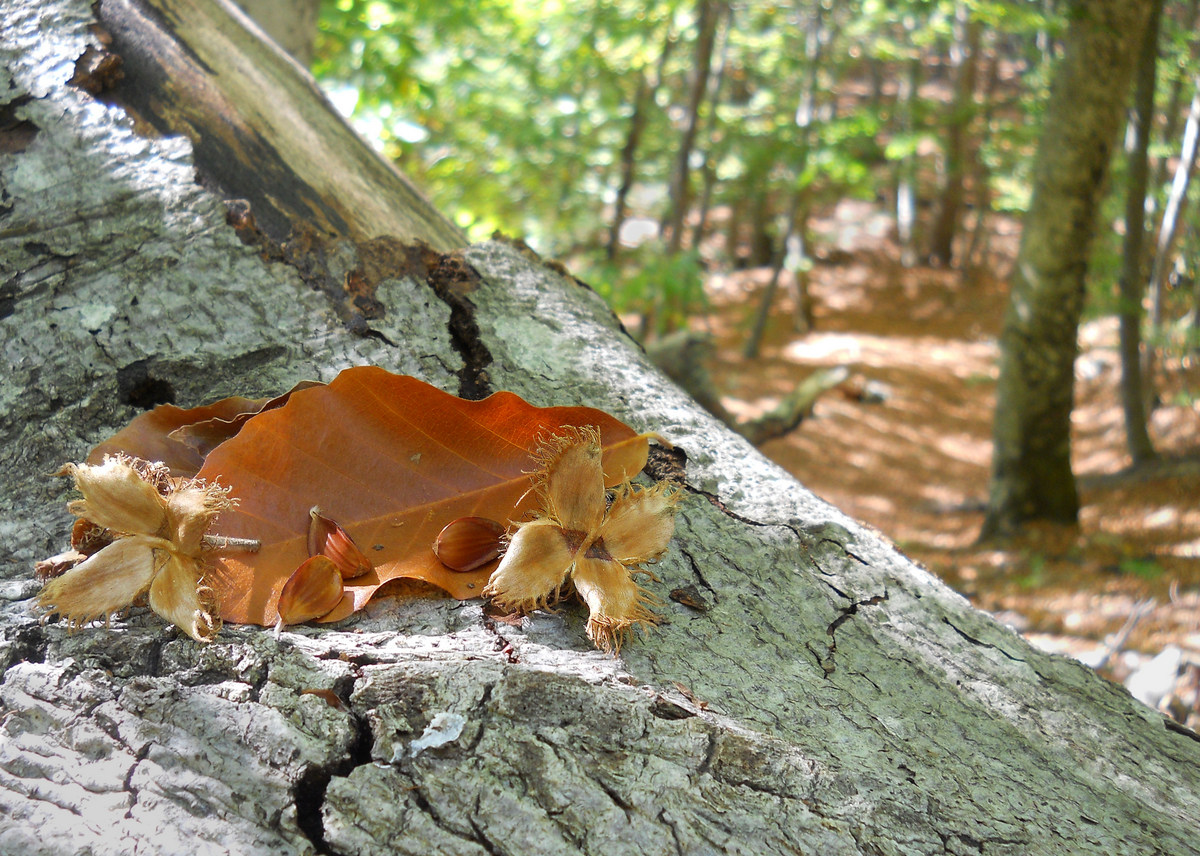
x=832, y=699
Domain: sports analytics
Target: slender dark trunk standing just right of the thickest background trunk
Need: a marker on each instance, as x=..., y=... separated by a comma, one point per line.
x=1132, y=283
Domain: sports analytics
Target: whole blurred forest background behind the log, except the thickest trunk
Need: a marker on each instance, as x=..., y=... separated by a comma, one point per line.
x=773, y=193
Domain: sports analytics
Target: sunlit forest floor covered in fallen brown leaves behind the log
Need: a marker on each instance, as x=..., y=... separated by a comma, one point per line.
x=905, y=446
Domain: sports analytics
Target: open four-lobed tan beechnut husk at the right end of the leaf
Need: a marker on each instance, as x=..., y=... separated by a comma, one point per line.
x=585, y=541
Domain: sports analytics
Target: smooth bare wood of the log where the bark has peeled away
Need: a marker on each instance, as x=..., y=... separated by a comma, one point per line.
x=260, y=128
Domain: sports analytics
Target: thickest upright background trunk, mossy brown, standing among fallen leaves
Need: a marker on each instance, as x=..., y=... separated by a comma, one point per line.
x=1031, y=475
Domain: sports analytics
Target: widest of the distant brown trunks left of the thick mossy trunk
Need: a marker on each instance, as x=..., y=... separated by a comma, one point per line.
x=965, y=62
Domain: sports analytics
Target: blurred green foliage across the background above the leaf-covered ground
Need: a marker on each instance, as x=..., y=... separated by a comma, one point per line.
x=518, y=115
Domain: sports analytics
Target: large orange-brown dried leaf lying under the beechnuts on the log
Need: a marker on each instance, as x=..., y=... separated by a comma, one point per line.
x=393, y=460
